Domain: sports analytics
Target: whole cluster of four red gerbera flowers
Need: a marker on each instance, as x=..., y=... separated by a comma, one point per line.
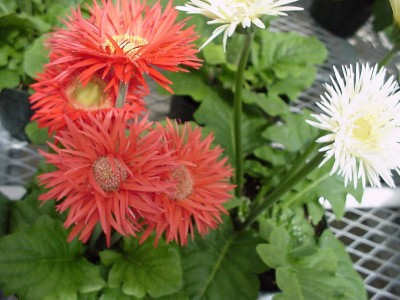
x=113, y=166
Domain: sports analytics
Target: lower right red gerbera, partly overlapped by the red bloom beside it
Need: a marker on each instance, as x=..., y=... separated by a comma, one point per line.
x=201, y=186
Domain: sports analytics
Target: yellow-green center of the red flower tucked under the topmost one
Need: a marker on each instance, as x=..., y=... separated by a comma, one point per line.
x=88, y=97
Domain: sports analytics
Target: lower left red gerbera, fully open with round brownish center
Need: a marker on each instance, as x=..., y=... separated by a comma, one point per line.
x=105, y=174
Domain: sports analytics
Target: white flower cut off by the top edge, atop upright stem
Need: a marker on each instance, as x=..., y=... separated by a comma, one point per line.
x=231, y=13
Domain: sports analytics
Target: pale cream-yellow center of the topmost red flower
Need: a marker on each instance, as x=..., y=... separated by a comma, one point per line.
x=129, y=44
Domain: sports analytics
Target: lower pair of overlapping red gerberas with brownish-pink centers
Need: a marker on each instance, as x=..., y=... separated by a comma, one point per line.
x=136, y=177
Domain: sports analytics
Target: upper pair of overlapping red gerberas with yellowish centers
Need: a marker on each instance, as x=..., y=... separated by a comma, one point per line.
x=91, y=59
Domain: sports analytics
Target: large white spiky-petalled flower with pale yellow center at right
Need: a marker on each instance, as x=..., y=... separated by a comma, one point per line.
x=361, y=113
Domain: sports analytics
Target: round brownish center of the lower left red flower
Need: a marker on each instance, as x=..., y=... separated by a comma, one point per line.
x=107, y=176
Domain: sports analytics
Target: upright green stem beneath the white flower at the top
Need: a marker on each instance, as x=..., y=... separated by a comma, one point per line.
x=238, y=108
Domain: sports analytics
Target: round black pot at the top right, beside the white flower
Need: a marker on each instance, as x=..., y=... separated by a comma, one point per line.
x=341, y=17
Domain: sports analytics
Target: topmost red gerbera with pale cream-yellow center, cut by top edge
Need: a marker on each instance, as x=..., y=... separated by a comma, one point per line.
x=126, y=39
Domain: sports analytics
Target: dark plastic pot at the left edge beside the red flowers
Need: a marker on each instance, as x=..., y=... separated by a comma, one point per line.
x=15, y=112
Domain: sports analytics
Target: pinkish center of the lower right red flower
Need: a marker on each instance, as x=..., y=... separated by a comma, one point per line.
x=184, y=183
